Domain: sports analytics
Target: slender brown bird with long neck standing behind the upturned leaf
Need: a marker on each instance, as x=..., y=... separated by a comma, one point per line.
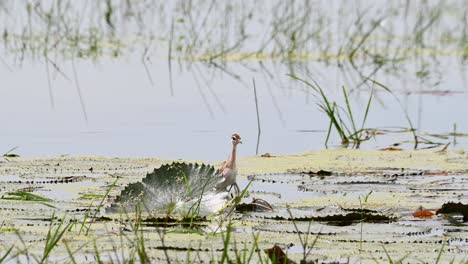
x=229, y=168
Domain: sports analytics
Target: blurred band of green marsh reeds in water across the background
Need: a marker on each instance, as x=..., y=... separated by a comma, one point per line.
x=362, y=40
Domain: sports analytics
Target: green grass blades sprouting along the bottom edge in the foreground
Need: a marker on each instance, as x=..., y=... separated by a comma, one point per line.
x=136, y=248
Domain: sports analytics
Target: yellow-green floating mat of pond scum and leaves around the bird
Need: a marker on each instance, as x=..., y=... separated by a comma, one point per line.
x=358, y=213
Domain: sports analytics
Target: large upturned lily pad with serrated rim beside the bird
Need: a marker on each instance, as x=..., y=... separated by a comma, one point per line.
x=172, y=187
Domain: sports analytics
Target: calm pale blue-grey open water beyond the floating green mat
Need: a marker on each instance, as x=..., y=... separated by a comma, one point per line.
x=128, y=108
